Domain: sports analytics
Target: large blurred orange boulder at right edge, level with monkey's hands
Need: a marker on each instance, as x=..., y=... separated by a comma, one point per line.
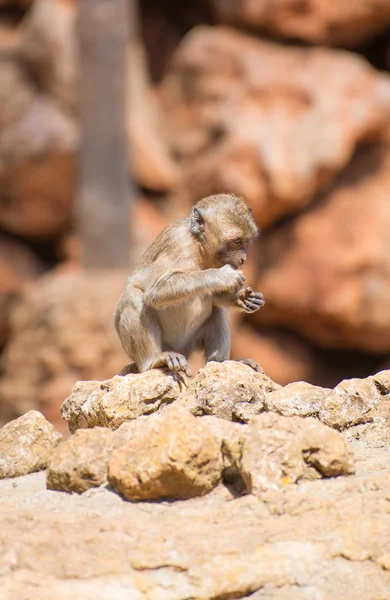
x=326, y=275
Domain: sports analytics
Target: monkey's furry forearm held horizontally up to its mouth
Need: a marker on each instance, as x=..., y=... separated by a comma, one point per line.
x=178, y=287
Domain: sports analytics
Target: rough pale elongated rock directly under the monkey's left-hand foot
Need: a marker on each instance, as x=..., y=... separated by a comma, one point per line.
x=110, y=403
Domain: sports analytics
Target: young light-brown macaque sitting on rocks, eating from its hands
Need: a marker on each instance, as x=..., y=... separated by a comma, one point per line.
x=175, y=301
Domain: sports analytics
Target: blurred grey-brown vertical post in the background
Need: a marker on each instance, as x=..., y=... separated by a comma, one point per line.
x=103, y=191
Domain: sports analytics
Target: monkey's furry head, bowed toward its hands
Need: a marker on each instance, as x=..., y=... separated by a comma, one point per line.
x=224, y=227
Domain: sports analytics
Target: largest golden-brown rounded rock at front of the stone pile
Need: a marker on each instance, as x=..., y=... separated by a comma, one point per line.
x=176, y=458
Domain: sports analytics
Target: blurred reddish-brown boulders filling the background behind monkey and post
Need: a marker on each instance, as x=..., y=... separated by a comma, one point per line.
x=285, y=102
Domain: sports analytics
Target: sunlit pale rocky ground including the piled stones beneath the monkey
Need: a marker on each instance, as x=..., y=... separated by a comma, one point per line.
x=248, y=489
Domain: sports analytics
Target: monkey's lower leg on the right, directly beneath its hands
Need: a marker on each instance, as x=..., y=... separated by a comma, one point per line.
x=216, y=336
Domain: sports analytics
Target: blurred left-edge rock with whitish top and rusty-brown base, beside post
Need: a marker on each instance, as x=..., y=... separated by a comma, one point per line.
x=36, y=171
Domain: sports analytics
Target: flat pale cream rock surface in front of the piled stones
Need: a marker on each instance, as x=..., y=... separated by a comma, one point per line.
x=300, y=541
